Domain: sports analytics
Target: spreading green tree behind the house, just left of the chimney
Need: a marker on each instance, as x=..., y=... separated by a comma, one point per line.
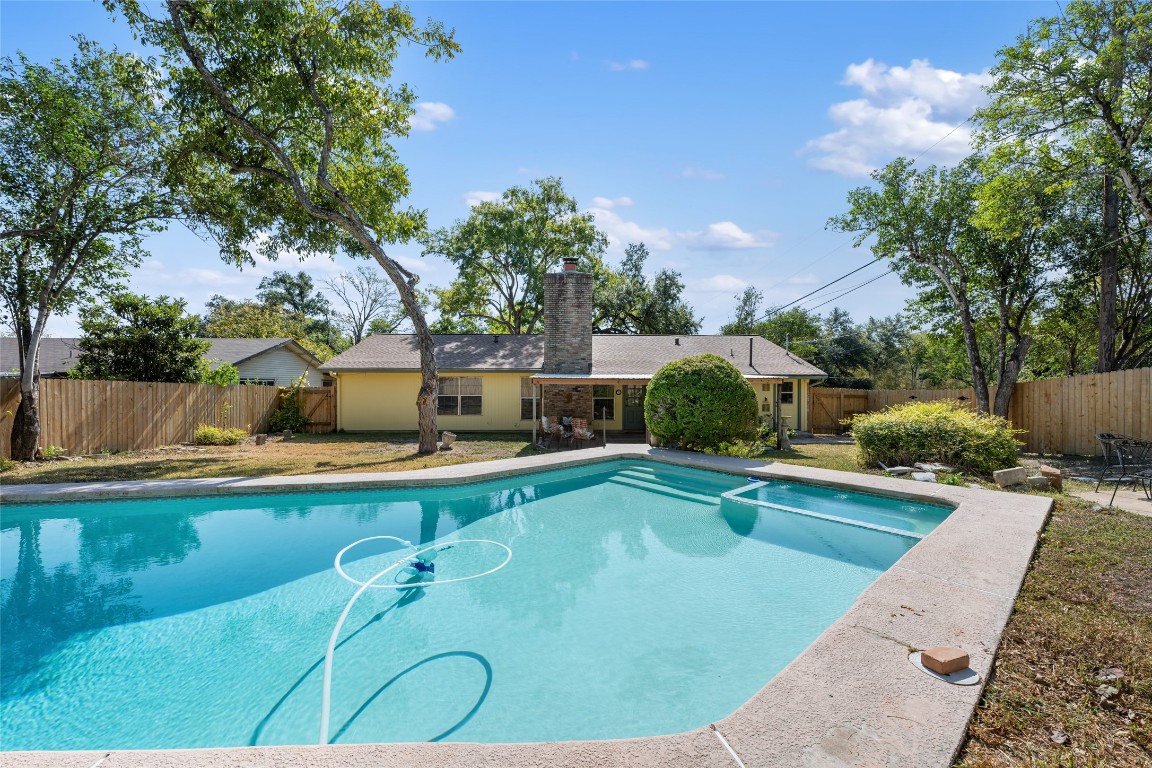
x=503, y=252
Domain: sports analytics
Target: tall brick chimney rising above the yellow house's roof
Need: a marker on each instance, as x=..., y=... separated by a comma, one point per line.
x=569, y=323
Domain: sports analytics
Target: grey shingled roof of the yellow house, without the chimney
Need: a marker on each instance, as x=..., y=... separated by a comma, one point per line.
x=612, y=355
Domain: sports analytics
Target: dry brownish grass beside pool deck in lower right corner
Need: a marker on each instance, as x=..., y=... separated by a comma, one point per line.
x=1083, y=614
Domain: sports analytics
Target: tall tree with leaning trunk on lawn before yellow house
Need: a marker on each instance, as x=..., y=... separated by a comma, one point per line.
x=286, y=110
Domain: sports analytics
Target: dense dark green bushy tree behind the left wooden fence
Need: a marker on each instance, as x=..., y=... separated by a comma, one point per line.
x=132, y=338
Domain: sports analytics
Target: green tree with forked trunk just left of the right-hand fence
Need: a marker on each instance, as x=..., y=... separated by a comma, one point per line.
x=924, y=223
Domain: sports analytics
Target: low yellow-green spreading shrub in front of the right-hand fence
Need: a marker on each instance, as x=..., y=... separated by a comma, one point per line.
x=942, y=432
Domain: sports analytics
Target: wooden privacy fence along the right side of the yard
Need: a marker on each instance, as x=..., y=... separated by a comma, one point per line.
x=1059, y=416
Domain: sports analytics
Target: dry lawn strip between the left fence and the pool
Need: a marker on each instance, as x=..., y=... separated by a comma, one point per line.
x=305, y=454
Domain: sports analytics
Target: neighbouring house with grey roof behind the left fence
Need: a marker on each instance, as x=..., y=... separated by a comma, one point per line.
x=278, y=362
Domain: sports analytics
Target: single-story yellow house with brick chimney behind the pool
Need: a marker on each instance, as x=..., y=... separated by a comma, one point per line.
x=505, y=383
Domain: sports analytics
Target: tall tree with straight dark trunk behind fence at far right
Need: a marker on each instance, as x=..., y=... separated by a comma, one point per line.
x=1073, y=100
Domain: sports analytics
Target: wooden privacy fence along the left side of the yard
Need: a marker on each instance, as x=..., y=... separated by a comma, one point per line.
x=88, y=417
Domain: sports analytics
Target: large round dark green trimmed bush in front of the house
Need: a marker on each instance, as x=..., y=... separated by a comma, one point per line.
x=700, y=402
